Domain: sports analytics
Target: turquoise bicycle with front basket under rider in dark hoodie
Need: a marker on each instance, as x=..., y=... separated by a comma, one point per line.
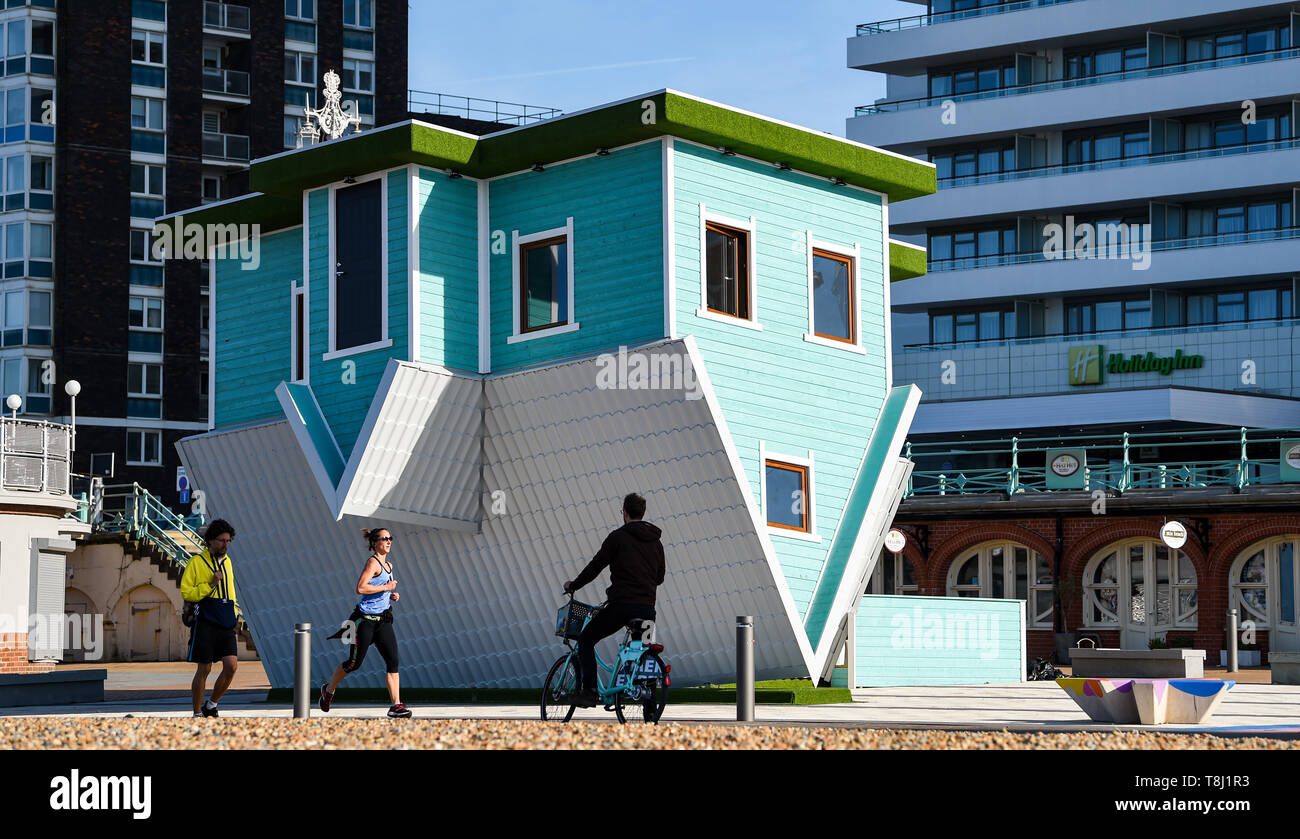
x=638, y=676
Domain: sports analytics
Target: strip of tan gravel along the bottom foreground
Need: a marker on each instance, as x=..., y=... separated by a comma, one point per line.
x=63, y=733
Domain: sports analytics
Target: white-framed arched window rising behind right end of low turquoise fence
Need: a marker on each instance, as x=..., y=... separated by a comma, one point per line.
x=1006, y=570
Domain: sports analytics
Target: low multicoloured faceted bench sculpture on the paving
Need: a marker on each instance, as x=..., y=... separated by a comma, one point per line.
x=1147, y=702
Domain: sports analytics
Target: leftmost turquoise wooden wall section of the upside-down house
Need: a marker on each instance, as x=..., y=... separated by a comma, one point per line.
x=250, y=338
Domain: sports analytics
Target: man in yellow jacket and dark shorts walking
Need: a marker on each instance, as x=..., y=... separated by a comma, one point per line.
x=210, y=582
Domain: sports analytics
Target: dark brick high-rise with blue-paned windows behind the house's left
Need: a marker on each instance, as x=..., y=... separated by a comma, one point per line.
x=119, y=113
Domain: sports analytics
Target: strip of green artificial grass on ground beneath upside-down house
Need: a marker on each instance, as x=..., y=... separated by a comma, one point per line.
x=777, y=693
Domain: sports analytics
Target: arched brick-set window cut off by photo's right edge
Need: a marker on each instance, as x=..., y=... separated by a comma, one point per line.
x=1264, y=587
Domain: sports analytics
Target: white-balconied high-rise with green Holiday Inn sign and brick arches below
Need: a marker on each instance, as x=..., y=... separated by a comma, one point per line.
x=1107, y=334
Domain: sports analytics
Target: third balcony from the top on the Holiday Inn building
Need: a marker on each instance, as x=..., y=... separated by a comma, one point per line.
x=1240, y=168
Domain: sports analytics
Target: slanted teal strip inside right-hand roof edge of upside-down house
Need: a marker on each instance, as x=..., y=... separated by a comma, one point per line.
x=876, y=468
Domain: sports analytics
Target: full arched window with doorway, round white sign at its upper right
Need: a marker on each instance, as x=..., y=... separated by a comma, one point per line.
x=1142, y=587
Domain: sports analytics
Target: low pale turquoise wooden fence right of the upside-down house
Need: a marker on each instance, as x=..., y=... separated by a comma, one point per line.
x=938, y=641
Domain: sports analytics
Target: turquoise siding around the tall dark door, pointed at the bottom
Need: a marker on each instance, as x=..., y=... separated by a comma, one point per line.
x=345, y=387
